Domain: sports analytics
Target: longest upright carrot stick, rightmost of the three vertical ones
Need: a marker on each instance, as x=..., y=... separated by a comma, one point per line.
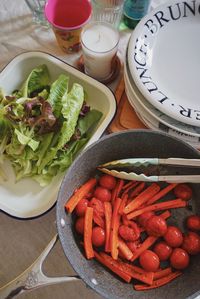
x=114, y=229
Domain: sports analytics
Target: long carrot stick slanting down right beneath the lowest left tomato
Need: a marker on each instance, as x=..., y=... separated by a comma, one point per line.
x=146, y=277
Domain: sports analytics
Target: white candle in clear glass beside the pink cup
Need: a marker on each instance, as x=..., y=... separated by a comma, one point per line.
x=99, y=44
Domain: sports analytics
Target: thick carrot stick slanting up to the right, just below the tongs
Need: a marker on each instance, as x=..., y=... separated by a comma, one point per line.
x=142, y=198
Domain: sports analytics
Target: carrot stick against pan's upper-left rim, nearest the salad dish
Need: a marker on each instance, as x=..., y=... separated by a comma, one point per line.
x=79, y=194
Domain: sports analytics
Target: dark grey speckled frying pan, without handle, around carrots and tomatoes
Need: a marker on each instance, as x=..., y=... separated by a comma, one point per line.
x=136, y=143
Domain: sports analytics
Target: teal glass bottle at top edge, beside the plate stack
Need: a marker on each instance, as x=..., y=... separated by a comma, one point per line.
x=134, y=10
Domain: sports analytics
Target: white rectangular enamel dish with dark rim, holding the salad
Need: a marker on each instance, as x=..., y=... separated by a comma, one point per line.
x=27, y=198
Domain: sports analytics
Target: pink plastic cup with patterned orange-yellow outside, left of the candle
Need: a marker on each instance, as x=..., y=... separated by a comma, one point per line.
x=67, y=17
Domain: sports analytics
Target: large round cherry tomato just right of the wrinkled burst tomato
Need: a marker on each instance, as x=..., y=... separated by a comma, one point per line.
x=156, y=226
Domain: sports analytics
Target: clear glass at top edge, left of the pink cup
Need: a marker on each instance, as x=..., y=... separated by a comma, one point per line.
x=37, y=9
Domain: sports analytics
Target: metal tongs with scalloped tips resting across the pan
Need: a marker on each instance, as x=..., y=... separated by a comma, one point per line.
x=140, y=169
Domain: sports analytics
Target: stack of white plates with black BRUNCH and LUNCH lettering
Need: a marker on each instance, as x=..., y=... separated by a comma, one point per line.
x=162, y=70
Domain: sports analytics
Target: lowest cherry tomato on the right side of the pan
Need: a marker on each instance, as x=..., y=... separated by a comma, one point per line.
x=179, y=259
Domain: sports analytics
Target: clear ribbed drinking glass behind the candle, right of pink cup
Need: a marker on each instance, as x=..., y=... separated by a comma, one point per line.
x=109, y=11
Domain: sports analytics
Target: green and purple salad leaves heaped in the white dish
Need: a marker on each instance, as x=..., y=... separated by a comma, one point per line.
x=44, y=125
